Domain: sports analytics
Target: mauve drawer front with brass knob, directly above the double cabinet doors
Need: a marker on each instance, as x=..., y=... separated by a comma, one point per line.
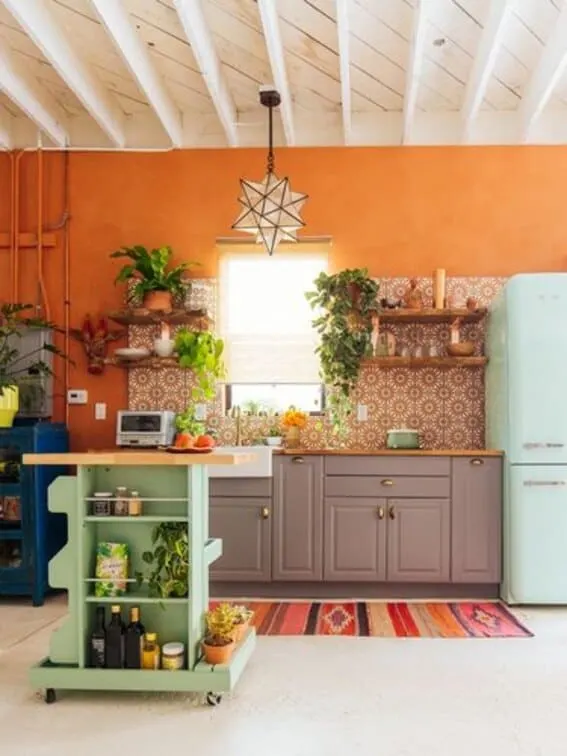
x=387, y=486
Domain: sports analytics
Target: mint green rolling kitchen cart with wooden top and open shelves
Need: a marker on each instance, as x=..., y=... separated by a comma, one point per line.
x=173, y=488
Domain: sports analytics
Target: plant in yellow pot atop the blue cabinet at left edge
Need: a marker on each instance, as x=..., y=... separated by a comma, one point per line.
x=20, y=370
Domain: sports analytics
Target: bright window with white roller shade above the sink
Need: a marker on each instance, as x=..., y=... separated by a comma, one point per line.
x=266, y=323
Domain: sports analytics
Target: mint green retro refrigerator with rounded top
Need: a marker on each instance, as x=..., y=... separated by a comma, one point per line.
x=526, y=416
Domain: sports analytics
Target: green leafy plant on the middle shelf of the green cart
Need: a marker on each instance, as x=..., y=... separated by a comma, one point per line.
x=169, y=561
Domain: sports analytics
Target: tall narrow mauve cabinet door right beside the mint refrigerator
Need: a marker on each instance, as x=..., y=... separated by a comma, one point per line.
x=476, y=499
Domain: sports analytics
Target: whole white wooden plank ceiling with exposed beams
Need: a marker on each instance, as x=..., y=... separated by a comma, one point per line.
x=161, y=74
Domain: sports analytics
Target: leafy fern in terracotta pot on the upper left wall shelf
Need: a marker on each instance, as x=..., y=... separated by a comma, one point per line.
x=155, y=283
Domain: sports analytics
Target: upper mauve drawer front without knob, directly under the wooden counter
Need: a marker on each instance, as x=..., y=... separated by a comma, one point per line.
x=387, y=465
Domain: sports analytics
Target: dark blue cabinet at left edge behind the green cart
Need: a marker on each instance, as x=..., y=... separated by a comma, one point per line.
x=29, y=534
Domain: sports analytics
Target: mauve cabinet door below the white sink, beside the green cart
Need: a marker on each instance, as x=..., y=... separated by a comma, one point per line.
x=240, y=513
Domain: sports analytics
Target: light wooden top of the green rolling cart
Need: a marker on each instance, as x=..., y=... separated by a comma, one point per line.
x=128, y=457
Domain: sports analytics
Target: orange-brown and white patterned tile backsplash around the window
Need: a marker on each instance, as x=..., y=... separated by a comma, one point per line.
x=445, y=405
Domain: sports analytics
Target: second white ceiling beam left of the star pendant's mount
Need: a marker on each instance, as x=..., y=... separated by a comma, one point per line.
x=119, y=25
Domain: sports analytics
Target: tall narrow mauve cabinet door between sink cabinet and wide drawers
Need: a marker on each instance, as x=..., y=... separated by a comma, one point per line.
x=297, y=529
